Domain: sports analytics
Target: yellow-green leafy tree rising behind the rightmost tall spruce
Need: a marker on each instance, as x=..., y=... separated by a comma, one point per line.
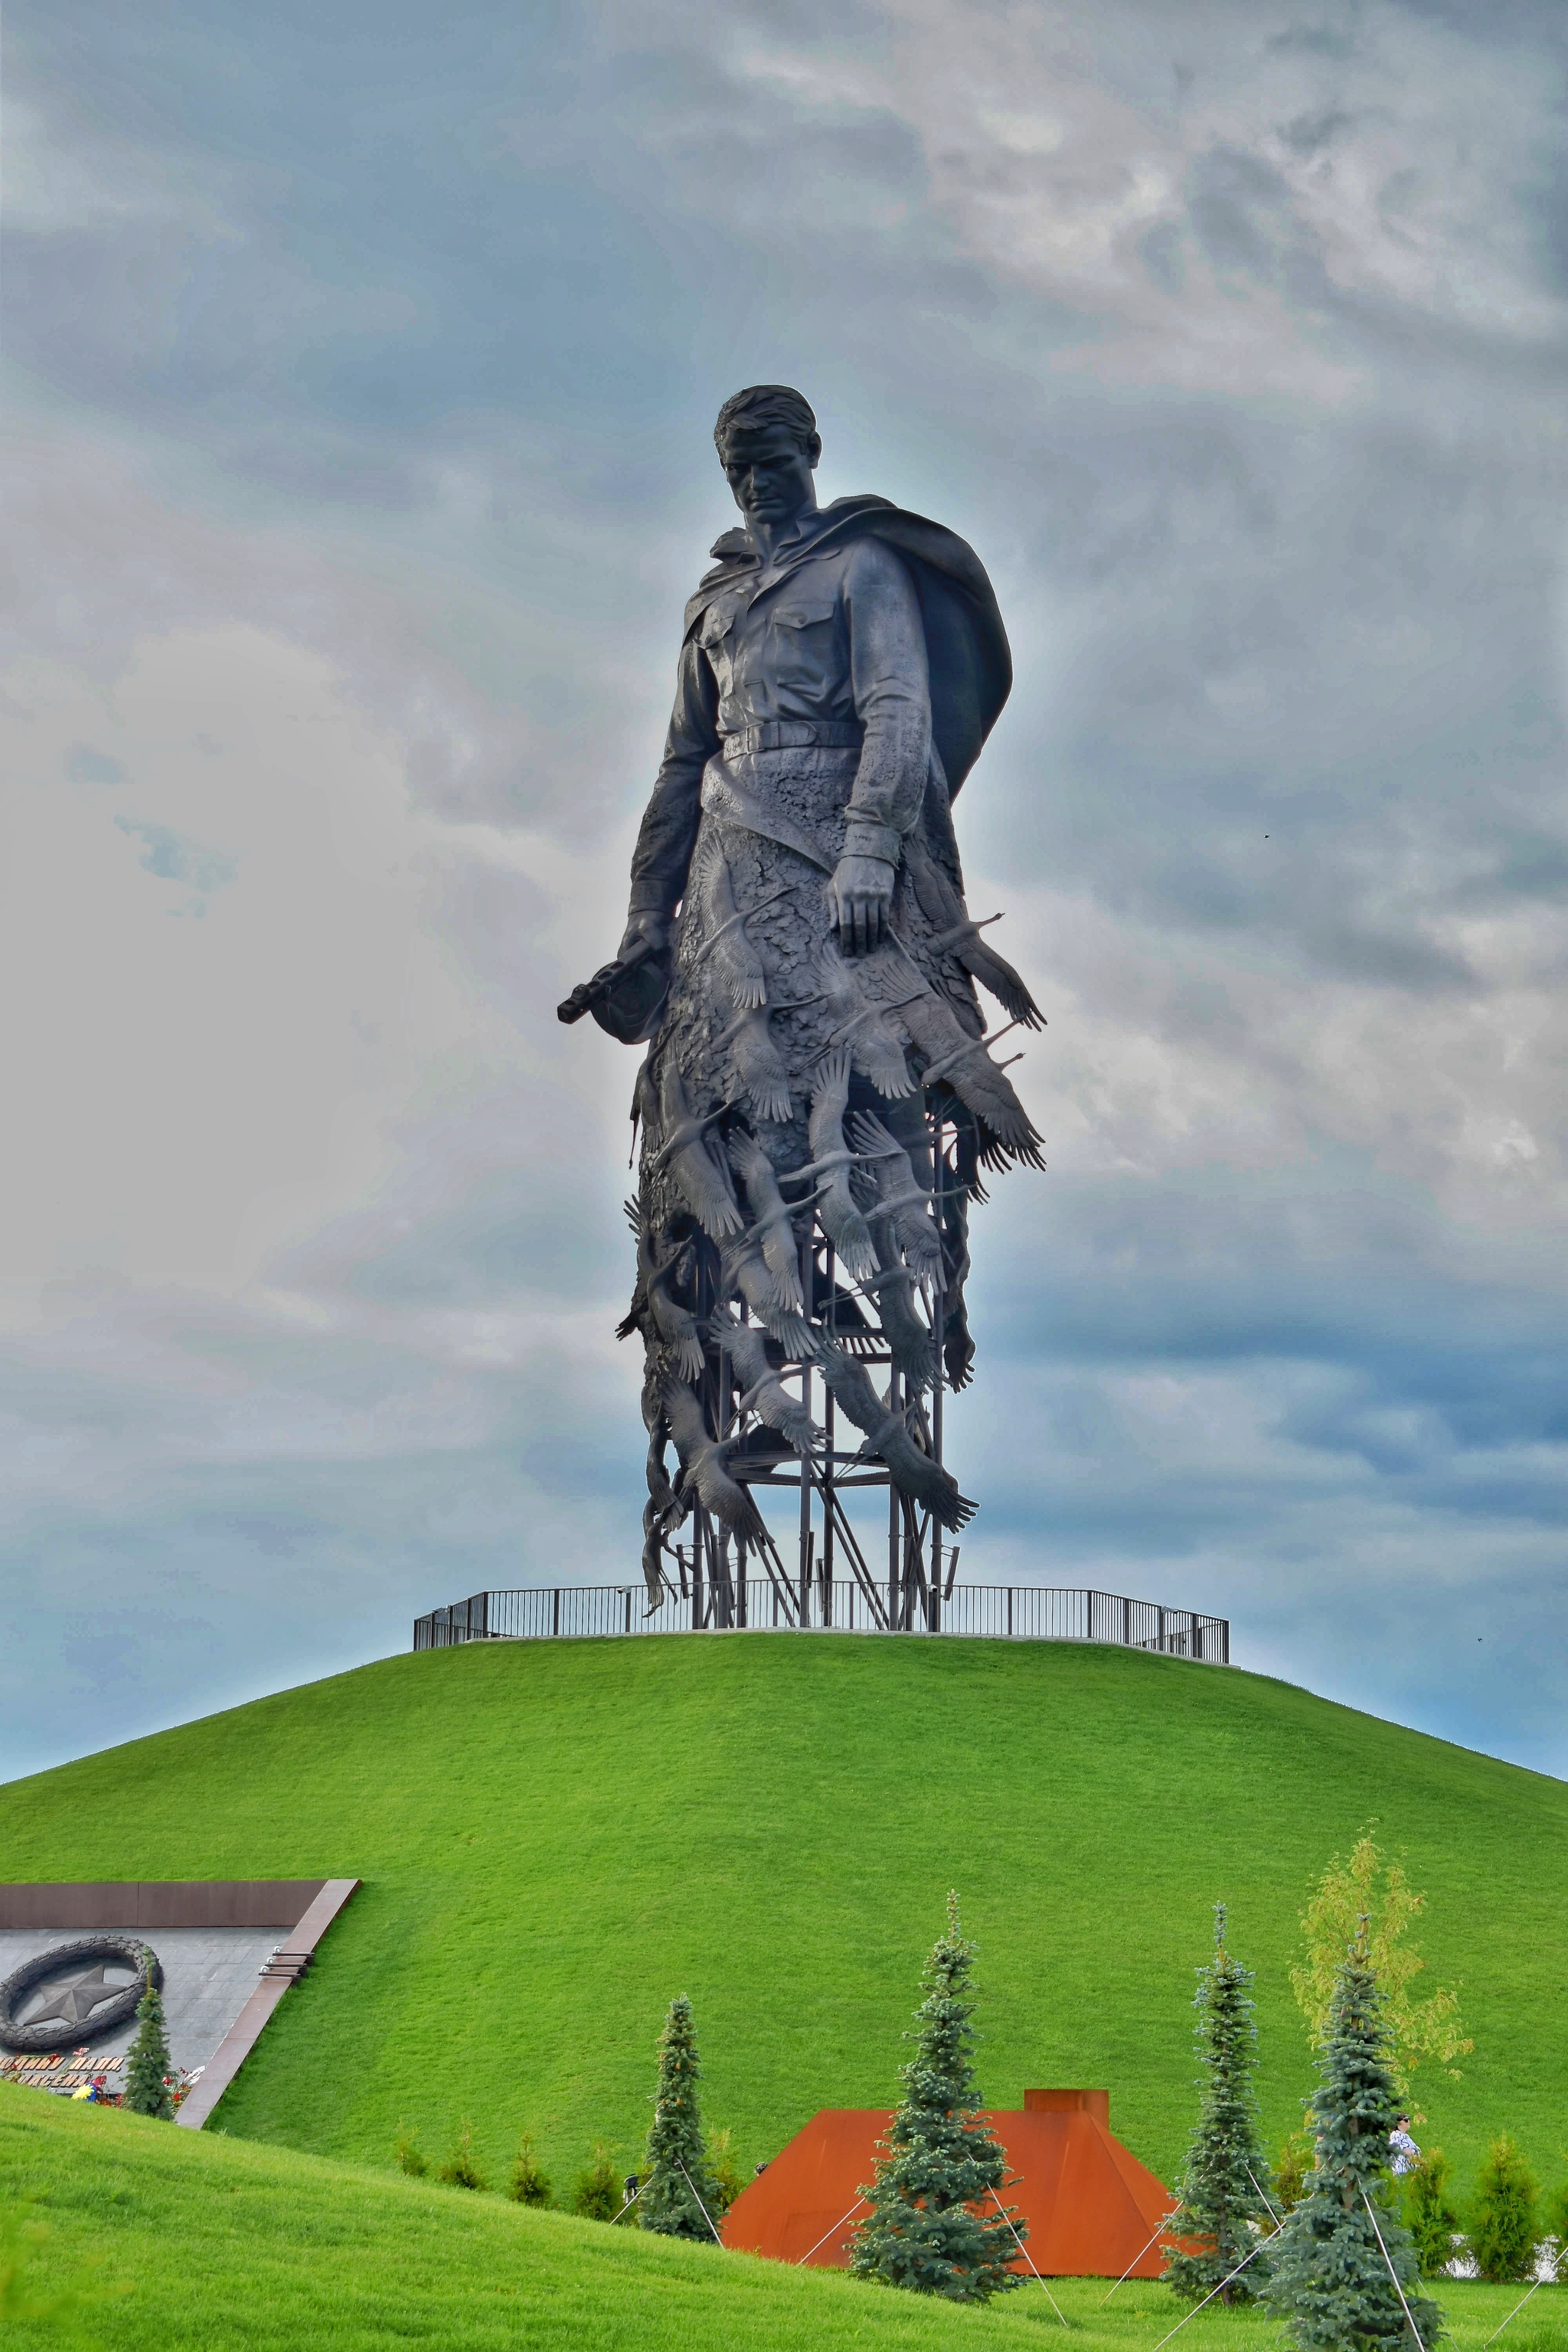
x=1374, y=1890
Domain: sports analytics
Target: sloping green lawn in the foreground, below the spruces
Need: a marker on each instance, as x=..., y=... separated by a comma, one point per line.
x=161, y=2240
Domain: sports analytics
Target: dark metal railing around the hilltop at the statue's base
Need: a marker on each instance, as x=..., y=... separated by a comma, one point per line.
x=998, y=1612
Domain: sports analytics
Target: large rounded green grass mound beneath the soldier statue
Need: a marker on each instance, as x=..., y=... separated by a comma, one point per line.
x=558, y=1838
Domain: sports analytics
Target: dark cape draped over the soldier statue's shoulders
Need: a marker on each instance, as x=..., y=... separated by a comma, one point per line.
x=972, y=669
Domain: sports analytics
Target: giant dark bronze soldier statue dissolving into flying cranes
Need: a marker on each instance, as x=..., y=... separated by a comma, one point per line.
x=817, y=1102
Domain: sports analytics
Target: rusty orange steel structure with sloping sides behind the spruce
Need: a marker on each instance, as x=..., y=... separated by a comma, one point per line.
x=1090, y=2205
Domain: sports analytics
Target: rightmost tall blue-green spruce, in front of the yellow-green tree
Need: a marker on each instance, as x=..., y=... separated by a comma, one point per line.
x=1329, y=2273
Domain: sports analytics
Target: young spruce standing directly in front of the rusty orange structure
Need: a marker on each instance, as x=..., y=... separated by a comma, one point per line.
x=937, y=2221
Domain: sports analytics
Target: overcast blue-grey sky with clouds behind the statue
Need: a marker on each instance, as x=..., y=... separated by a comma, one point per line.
x=361, y=375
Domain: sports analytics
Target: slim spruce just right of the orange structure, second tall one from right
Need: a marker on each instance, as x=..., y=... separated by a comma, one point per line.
x=1228, y=2179
